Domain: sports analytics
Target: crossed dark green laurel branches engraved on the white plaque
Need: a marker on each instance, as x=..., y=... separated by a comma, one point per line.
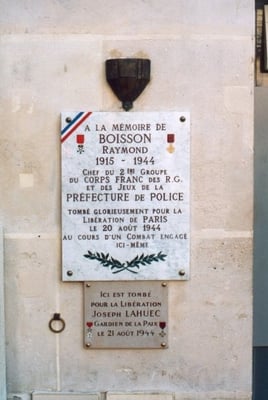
x=116, y=266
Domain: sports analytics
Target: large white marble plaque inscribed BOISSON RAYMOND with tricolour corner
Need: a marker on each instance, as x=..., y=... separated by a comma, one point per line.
x=125, y=195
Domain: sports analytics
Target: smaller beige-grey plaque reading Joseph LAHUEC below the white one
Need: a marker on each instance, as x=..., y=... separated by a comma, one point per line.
x=126, y=315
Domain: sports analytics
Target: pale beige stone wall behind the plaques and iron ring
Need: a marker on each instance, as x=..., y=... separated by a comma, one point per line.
x=52, y=56
